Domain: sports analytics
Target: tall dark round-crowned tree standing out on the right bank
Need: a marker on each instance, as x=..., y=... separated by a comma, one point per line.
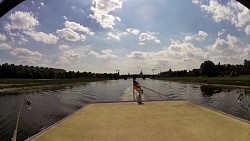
x=208, y=68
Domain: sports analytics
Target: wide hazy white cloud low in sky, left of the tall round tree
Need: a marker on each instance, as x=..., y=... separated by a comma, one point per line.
x=174, y=56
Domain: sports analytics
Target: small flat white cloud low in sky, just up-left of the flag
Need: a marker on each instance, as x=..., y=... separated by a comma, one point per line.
x=103, y=54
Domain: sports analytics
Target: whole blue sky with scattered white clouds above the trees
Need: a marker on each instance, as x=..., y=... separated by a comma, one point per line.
x=127, y=35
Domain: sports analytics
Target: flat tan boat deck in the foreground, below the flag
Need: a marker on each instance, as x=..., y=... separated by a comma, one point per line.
x=156, y=120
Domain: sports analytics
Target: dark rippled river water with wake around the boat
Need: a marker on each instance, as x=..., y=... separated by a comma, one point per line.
x=53, y=104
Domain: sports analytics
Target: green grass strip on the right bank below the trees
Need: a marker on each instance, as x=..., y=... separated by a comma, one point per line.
x=243, y=80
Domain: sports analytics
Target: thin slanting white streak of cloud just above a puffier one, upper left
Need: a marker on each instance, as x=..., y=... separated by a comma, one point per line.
x=77, y=27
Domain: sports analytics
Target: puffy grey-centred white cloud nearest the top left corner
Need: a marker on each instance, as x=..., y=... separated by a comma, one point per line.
x=22, y=21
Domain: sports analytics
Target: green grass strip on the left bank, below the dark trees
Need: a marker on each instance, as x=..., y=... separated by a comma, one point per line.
x=19, y=83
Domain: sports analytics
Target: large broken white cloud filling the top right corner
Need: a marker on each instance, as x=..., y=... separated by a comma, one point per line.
x=233, y=12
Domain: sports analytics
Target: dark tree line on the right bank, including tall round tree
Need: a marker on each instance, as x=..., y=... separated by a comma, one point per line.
x=209, y=69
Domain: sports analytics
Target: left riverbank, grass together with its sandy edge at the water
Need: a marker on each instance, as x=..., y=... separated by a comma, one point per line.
x=24, y=84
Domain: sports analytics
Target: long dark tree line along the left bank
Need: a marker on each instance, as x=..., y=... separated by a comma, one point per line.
x=31, y=72
